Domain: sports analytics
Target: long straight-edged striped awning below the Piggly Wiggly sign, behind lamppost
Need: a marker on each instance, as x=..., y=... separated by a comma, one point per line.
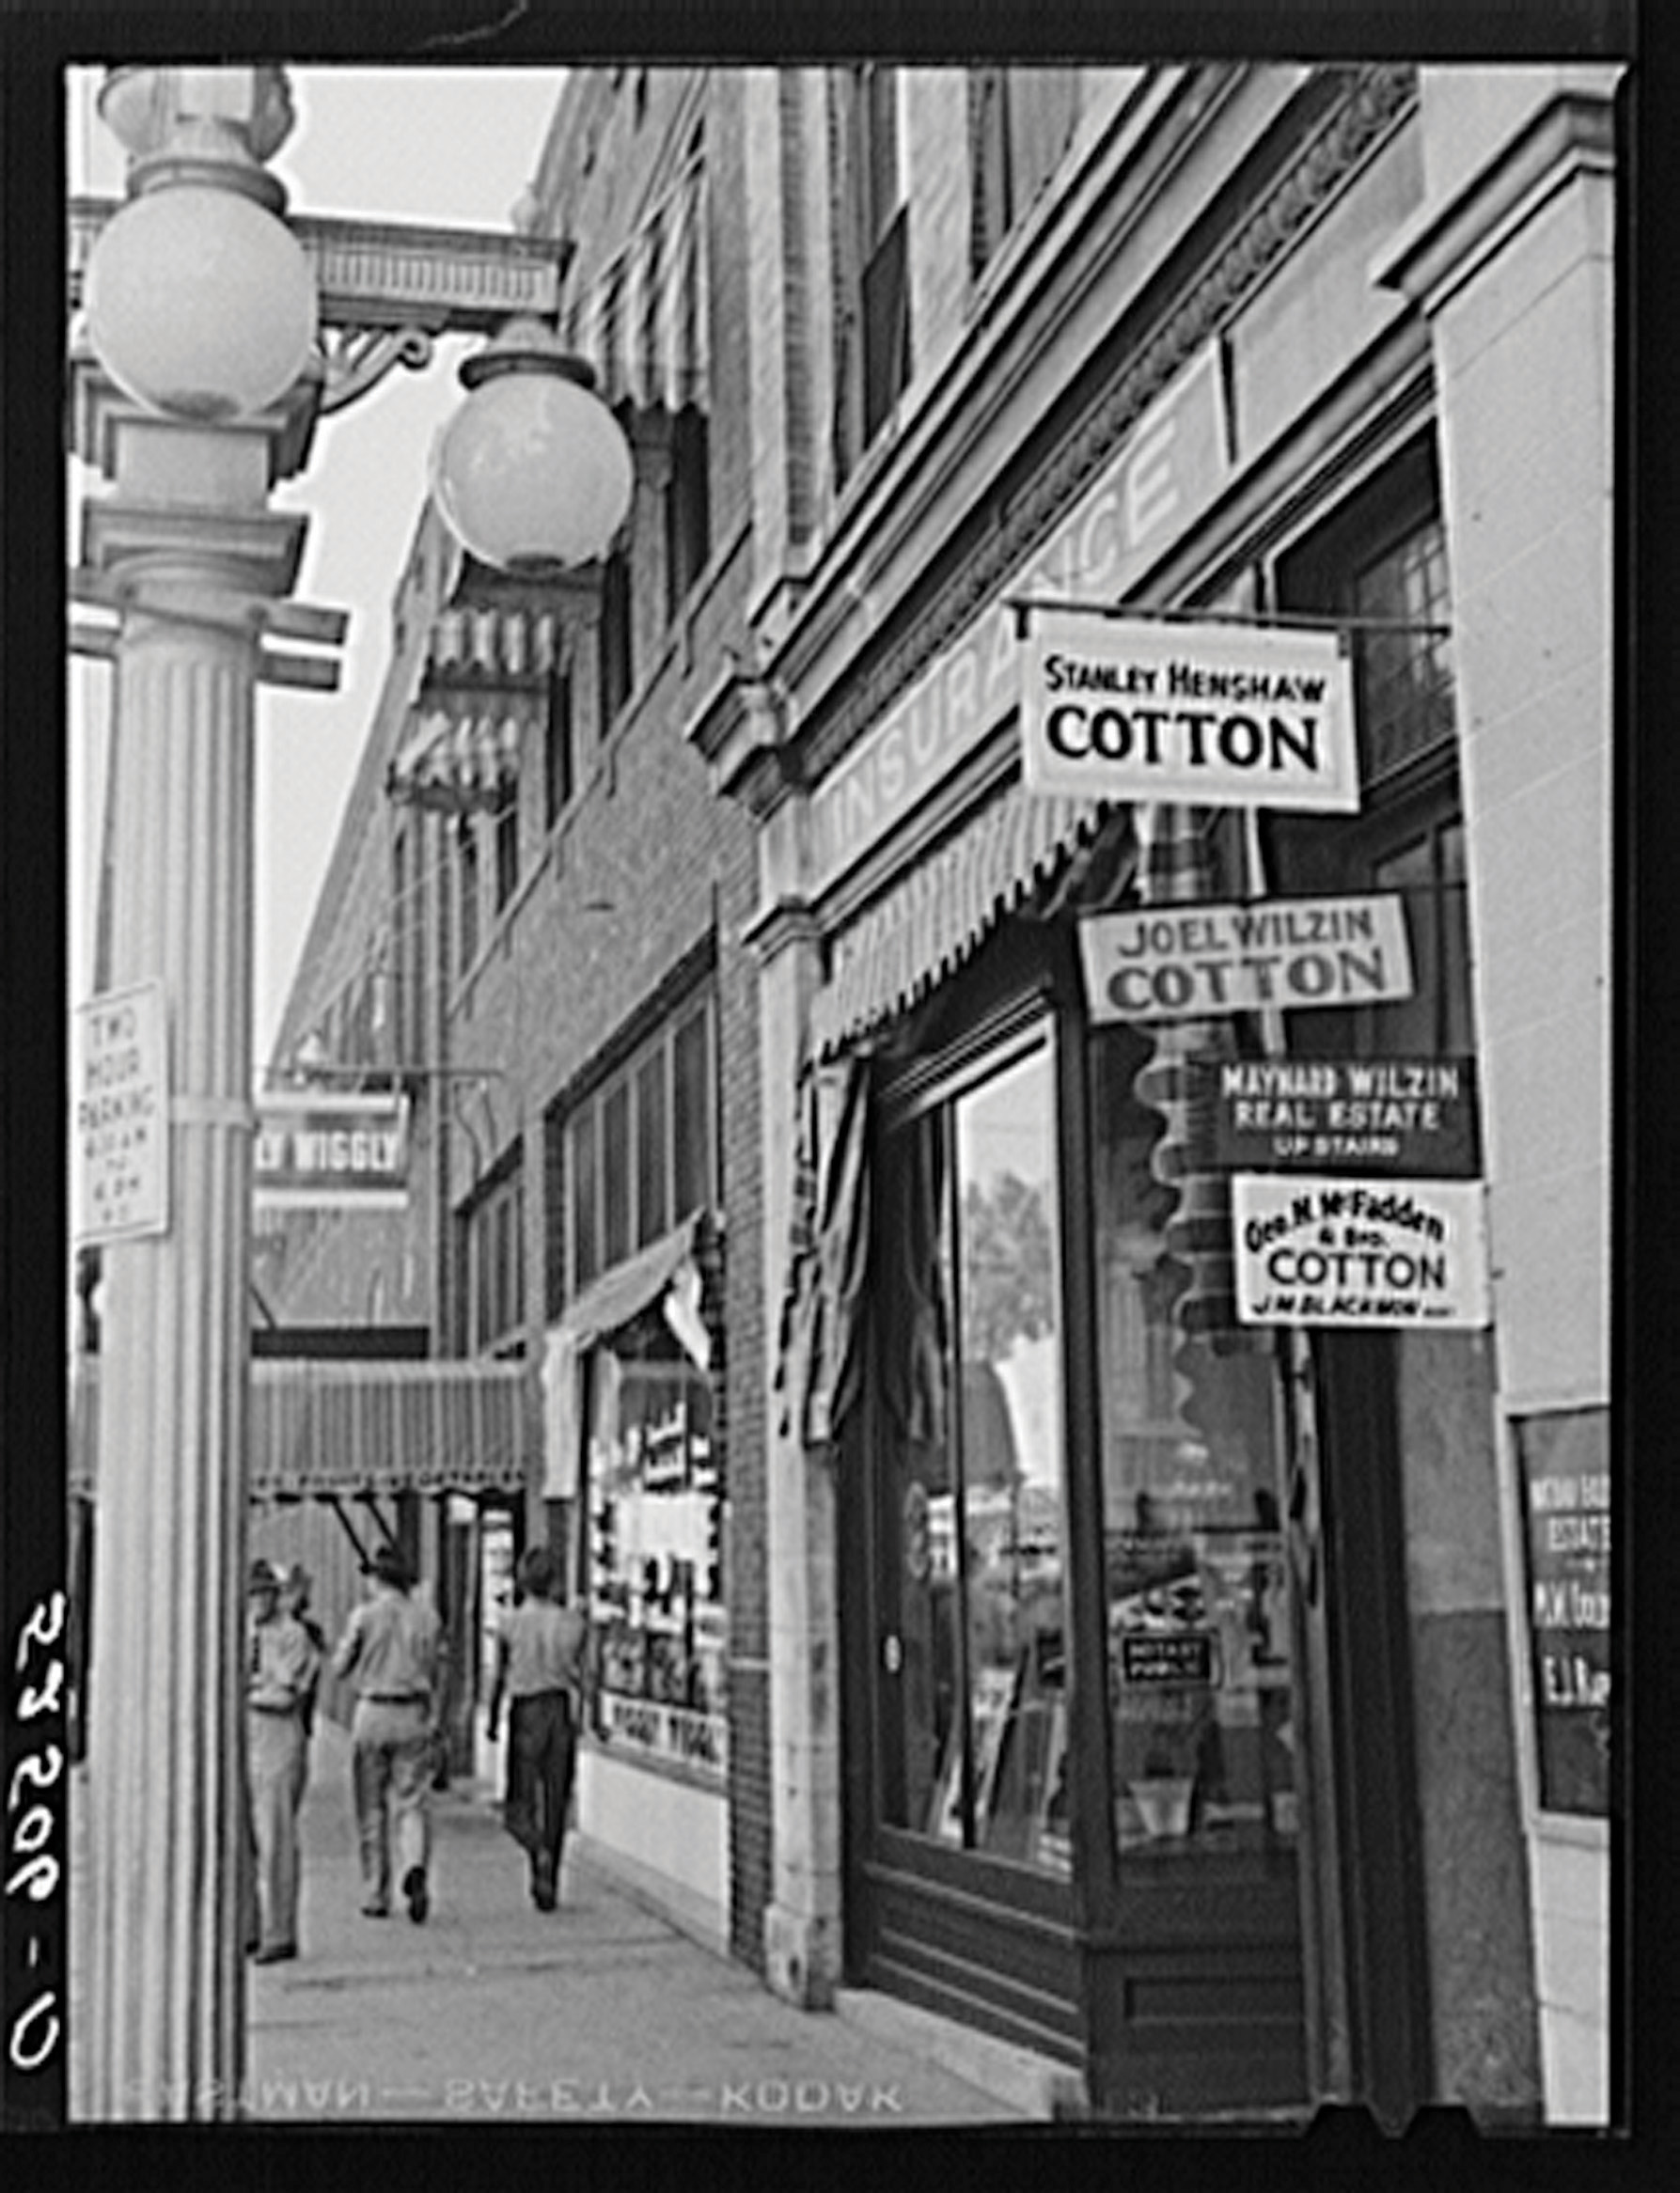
x=348, y=1429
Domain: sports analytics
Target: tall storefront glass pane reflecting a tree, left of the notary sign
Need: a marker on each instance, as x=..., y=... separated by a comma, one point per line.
x=977, y=1731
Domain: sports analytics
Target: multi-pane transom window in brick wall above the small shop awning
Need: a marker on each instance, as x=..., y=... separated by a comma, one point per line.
x=639, y=1152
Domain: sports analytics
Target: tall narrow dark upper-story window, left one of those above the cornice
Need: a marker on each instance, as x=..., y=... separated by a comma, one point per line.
x=872, y=271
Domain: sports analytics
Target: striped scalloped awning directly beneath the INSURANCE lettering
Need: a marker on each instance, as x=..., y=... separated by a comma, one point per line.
x=929, y=924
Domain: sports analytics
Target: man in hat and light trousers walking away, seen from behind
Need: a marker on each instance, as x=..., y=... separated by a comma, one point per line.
x=394, y=1648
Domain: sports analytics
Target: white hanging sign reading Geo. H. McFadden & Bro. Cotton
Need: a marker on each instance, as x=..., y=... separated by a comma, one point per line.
x=1365, y=1253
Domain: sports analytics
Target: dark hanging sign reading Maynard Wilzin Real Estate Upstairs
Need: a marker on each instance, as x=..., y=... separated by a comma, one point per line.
x=1337, y=1115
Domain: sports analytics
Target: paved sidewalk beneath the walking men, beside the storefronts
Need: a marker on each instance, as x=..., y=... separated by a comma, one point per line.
x=600, y=2014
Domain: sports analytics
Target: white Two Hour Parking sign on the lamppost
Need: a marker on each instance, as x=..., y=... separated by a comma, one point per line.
x=120, y=1082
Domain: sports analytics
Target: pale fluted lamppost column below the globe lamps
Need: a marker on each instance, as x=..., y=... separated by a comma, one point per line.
x=190, y=554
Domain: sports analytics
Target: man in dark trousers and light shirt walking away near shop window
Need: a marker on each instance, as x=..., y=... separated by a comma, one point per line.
x=541, y=1668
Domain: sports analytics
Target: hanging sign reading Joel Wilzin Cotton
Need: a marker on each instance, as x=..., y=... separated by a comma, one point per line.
x=1194, y=962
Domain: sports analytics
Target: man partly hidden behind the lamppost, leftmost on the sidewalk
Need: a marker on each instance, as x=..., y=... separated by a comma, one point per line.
x=282, y=1668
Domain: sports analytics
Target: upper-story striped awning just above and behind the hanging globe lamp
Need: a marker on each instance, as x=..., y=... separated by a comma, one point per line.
x=642, y=321
